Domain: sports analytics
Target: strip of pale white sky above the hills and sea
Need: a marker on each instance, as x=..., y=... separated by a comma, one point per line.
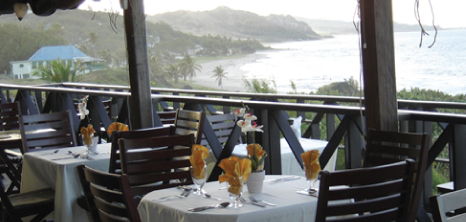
x=447, y=13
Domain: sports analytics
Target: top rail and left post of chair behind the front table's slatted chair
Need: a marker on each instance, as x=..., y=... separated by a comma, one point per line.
x=115, y=165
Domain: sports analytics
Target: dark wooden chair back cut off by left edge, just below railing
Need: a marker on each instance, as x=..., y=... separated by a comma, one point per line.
x=9, y=113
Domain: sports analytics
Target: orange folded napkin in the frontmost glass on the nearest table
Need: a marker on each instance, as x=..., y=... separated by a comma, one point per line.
x=236, y=172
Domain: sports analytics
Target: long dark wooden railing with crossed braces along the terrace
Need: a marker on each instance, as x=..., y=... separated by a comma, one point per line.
x=344, y=117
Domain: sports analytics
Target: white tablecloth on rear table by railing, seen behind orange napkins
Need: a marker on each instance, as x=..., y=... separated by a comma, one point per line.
x=290, y=165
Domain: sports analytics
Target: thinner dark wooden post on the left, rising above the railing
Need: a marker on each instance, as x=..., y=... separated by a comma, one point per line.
x=136, y=43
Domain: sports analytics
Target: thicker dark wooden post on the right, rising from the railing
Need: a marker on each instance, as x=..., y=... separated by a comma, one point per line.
x=378, y=57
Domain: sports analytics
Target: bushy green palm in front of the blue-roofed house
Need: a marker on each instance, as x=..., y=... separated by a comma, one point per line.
x=59, y=71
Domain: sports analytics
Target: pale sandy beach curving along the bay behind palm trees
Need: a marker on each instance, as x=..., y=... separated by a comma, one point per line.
x=232, y=67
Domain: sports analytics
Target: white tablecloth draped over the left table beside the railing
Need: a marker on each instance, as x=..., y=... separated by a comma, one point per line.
x=44, y=169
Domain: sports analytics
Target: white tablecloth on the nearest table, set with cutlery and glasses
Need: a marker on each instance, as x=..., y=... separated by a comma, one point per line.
x=291, y=206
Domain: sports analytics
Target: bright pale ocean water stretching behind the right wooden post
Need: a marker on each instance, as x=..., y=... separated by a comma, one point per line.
x=312, y=64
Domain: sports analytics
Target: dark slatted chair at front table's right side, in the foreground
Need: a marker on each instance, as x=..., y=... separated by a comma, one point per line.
x=382, y=193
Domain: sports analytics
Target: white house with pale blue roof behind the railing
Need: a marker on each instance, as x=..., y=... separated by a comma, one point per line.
x=45, y=55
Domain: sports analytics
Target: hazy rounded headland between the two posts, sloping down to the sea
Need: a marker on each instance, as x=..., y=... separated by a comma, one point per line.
x=224, y=21
